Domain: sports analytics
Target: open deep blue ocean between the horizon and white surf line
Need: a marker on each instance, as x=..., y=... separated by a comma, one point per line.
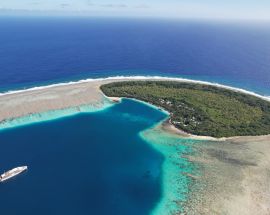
x=37, y=51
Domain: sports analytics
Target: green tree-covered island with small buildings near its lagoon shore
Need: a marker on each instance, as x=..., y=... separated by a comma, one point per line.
x=200, y=109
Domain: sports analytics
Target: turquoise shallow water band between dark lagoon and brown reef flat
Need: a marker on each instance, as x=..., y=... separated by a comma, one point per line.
x=175, y=168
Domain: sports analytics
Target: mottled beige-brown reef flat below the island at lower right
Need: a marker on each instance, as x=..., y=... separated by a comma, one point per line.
x=234, y=177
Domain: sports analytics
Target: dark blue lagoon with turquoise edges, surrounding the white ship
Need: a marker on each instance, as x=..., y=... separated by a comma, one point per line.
x=102, y=159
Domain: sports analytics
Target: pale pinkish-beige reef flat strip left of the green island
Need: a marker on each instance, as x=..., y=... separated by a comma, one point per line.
x=34, y=101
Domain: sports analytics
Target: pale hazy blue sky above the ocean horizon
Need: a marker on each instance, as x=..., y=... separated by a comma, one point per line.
x=208, y=9
